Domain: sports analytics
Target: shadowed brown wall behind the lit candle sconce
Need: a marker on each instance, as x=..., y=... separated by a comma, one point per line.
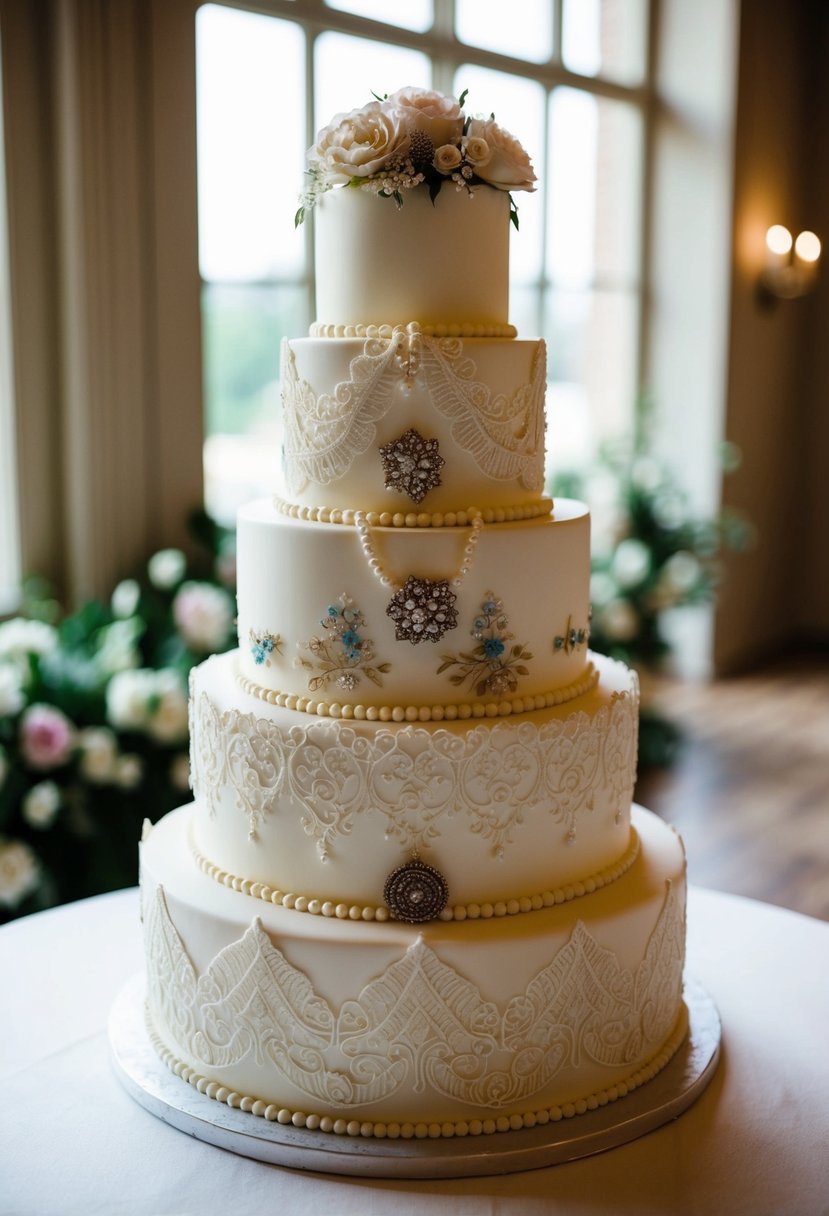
x=779, y=363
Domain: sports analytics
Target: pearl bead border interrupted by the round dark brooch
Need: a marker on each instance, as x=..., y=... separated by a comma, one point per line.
x=480, y=911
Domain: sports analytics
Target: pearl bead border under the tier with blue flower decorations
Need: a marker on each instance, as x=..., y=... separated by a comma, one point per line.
x=449, y=713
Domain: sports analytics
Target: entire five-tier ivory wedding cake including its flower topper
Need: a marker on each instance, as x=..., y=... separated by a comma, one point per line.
x=410, y=897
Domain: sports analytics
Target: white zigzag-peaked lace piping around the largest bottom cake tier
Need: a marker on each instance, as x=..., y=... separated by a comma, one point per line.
x=420, y=1024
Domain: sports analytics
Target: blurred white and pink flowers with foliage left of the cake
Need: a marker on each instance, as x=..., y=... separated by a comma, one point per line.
x=94, y=733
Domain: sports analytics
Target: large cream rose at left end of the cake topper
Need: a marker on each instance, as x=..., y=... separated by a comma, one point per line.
x=360, y=144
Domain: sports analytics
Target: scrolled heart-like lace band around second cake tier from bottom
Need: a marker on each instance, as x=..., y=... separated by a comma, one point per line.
x=414, y=778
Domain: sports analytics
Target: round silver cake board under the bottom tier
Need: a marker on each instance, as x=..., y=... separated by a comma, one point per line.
x=176, y=1102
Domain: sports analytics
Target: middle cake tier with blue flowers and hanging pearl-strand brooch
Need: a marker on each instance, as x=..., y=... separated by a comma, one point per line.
x=427, y=623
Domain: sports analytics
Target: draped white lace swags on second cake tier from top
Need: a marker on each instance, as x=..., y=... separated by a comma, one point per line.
x=325, y=434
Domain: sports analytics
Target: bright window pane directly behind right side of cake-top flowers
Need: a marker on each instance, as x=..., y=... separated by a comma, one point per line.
x=518, y=106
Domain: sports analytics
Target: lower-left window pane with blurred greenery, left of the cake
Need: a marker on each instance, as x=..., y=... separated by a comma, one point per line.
x=244, y=328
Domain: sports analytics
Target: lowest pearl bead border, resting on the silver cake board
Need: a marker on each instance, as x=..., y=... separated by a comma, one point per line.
x=421, y=1130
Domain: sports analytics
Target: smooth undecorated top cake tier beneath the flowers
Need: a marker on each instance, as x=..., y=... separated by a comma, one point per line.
x=443, y=264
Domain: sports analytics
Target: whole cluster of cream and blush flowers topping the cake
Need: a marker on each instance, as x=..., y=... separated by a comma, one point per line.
x=415, y=138
